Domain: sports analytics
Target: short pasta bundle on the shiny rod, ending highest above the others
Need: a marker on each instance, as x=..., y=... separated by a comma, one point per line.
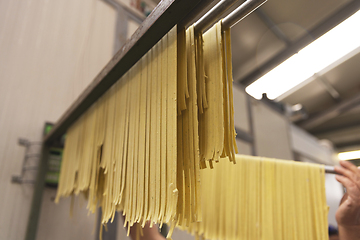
x=216, y=123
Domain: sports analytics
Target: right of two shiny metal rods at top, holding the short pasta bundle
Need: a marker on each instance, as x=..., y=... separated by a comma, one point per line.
x=241, y=12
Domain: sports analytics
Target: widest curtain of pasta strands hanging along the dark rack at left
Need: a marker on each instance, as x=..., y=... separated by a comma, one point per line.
x=122, y=152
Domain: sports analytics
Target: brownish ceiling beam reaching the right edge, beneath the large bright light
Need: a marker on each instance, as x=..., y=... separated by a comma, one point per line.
x=330, y=113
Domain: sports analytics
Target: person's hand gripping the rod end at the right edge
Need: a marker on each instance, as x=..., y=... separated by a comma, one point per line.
x=348, y=213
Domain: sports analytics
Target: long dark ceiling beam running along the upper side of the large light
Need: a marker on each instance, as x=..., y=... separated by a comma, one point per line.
x=294, y=47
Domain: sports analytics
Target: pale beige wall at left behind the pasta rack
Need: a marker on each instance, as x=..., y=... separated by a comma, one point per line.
x=49, y=52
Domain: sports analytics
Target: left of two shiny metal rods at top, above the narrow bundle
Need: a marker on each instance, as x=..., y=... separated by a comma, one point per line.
x=212, y=15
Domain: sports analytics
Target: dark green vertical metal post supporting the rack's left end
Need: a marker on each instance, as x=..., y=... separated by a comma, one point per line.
x=39, y=186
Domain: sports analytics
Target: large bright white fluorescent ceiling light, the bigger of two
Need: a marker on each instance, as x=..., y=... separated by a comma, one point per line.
x=313, y=58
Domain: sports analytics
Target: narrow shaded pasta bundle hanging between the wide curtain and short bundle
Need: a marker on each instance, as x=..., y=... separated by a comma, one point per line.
x=188, y=134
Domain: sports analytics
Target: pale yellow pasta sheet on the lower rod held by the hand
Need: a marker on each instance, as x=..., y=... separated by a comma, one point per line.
x=262, y=198
